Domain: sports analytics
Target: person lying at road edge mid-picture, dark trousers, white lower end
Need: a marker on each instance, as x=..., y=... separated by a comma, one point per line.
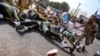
x=49, y=31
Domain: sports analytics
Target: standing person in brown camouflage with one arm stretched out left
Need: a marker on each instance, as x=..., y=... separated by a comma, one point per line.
x=90, y=30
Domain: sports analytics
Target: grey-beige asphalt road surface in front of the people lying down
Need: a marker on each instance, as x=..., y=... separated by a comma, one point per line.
x=33, y=44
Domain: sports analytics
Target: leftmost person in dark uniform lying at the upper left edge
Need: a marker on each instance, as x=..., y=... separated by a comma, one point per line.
x=9, y=12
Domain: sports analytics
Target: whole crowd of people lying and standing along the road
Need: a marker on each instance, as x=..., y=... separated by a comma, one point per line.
x=58, y=25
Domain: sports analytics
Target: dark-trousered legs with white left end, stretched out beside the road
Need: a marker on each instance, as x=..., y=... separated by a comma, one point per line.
x=26, y=25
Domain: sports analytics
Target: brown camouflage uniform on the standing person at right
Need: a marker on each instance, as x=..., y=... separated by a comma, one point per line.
x=90, y=32
